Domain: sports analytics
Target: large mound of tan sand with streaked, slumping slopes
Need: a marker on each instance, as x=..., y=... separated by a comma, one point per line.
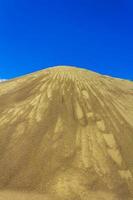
x=68, y=133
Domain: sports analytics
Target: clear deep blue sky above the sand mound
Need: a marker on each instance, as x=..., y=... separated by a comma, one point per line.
x=94, y=34
